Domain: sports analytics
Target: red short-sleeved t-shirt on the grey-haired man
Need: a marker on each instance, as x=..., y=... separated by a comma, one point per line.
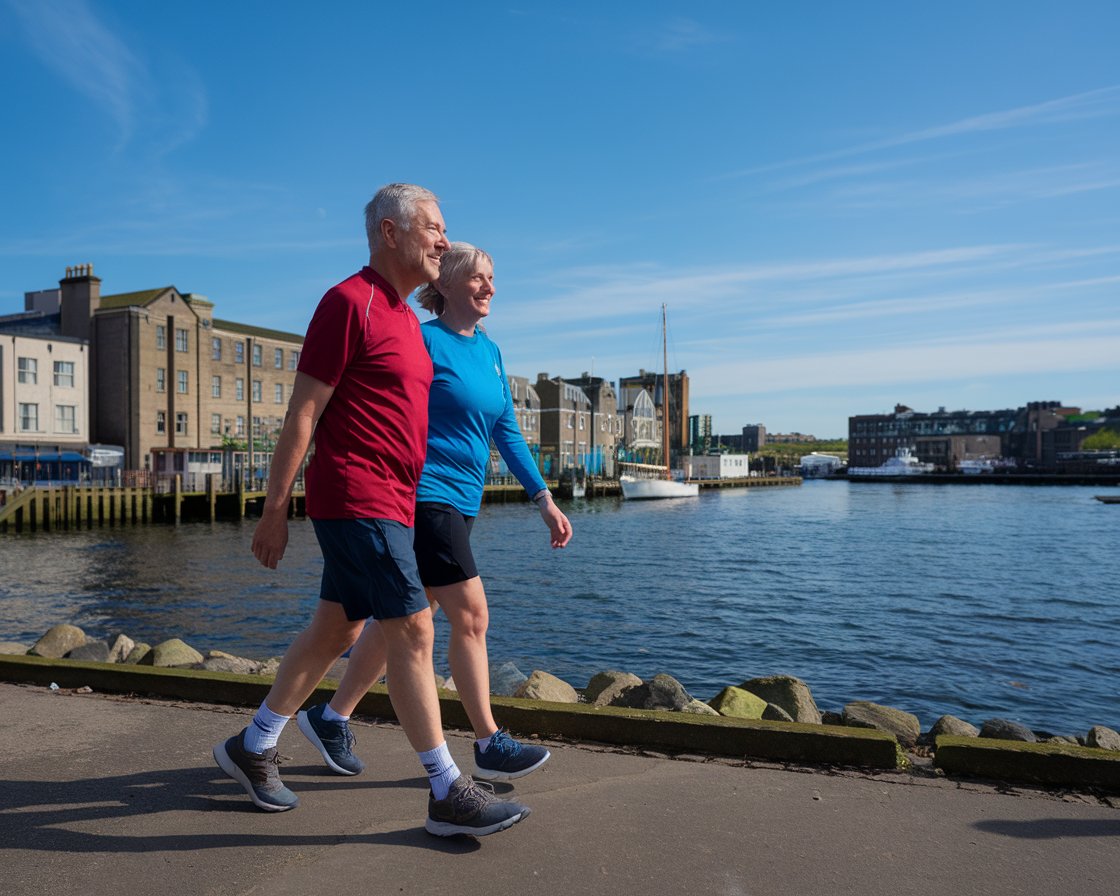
x=371, y=440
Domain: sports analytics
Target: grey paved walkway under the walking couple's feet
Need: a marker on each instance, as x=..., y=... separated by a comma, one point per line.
x=120, y=796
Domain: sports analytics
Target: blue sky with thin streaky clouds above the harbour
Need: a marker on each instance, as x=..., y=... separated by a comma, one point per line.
x=844, y=206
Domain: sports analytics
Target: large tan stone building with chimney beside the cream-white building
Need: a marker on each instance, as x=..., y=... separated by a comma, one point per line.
x=165, y=376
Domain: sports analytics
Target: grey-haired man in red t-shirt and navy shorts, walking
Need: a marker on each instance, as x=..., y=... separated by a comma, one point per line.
x=362, y=390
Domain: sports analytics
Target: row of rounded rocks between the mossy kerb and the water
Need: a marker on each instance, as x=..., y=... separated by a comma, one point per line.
x=777, y=698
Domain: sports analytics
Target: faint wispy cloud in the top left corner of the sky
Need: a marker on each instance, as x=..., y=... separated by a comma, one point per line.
x=94, y=60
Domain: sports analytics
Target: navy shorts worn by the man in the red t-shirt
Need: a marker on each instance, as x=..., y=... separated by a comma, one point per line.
x=370, y=568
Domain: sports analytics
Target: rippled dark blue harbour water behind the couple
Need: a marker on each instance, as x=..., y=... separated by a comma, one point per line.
x=975, y=601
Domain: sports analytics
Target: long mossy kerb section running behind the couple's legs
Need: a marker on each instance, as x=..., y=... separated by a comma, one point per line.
x=673, y=732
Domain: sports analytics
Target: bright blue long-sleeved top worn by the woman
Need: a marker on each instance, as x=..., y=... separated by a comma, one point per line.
x=469, y=406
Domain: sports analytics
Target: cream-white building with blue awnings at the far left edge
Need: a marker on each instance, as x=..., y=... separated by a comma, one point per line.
x=44, y=403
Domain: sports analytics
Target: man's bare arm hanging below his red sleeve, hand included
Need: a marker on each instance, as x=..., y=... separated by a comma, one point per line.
x=310, y=398
